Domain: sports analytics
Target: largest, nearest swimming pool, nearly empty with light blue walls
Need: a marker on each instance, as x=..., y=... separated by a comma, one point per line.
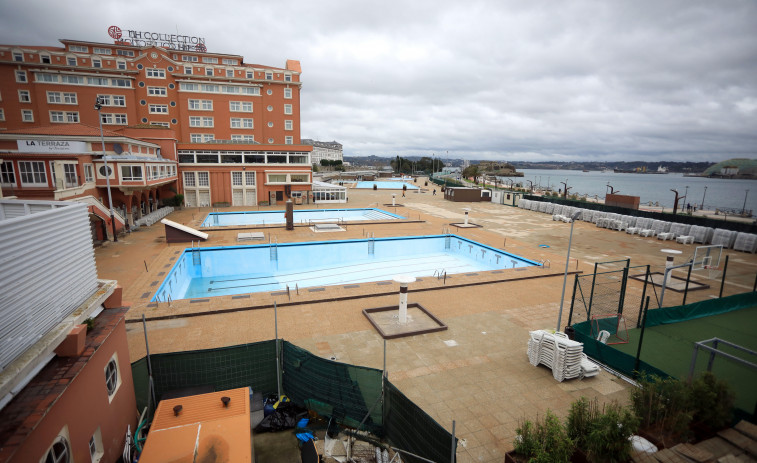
x=219, y=271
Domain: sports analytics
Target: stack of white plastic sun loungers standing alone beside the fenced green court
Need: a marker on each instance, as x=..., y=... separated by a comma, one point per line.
x=564, y=356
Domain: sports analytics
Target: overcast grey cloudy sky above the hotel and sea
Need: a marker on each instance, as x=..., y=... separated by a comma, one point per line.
x=511, y=80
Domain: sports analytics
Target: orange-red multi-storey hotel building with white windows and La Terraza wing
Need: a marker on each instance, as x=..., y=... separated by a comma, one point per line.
x=206, y=125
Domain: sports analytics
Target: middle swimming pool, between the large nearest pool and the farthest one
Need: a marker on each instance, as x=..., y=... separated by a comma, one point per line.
x=225, y=219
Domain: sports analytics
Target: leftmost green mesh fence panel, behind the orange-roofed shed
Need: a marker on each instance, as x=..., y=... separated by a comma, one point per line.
x=223, y=368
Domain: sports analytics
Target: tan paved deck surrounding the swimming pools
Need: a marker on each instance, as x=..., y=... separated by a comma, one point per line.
x=485, y=381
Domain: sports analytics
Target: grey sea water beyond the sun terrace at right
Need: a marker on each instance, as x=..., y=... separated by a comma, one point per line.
x=729, y=195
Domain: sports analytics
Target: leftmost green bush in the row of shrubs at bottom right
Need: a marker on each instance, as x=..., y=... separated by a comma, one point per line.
x=544, y=442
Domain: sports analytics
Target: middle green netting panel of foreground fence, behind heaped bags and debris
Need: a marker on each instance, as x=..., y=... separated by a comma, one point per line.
x=344, y=391
